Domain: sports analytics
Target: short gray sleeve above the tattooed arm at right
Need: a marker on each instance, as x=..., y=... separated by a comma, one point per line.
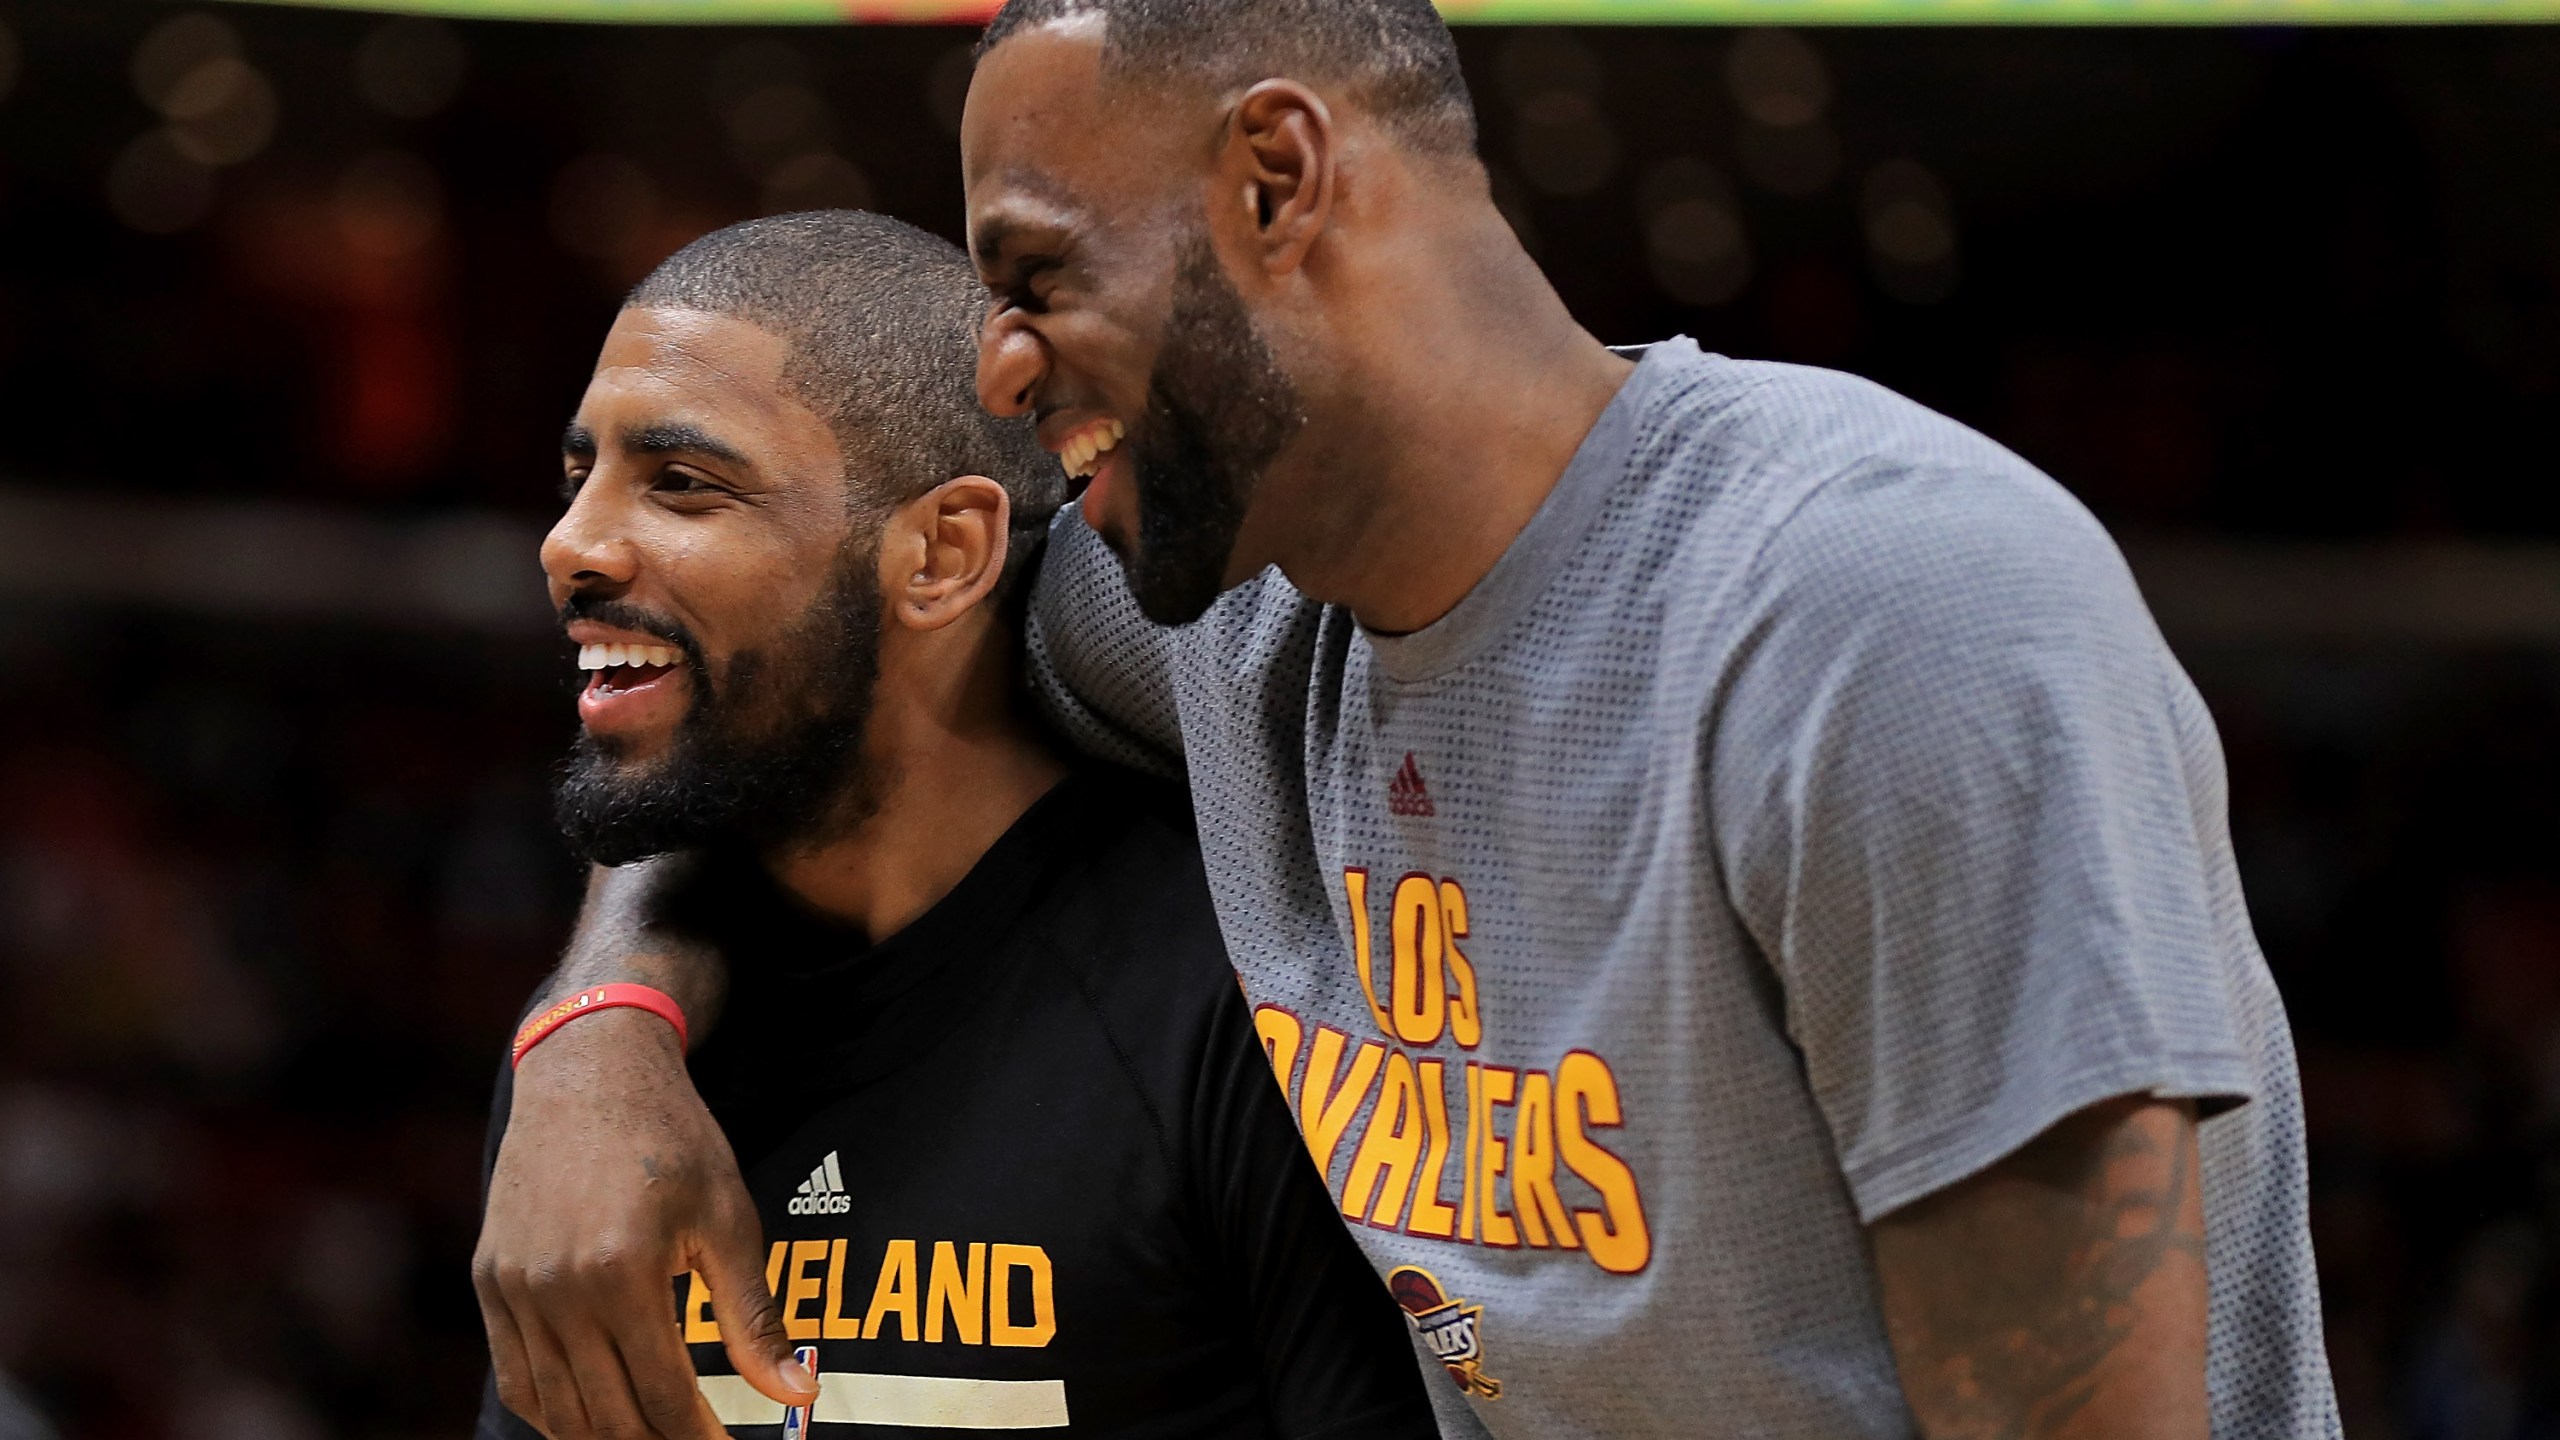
x=1972, y=816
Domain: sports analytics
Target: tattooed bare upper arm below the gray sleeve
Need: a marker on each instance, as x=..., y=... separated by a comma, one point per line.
x=2060, y=1293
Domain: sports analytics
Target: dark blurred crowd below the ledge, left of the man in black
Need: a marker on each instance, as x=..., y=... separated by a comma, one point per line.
x=268, y=903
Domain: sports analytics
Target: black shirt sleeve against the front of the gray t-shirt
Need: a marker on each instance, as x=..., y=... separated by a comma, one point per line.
x=1335, y=1352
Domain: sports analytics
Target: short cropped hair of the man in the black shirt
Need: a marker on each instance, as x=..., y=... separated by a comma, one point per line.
x=882, y=329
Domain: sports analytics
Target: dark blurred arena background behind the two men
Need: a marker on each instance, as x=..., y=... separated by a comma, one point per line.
x=293, y=306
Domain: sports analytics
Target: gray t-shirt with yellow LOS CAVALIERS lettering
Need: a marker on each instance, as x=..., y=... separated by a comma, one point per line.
x=1796, y=821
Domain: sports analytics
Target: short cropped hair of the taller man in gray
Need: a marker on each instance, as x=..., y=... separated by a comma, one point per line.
x=1391, y=55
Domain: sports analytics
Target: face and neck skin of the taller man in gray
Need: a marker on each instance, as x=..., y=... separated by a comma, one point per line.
x=1435, y=380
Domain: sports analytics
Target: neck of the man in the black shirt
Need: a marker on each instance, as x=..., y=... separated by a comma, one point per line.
x=954, y=765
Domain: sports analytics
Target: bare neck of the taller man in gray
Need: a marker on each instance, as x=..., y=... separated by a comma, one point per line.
x=1471, y=396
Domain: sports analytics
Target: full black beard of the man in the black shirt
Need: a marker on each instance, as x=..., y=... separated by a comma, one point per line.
x=767, y=755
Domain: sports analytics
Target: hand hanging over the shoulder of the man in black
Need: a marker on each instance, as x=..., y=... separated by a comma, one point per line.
x=611, y=1182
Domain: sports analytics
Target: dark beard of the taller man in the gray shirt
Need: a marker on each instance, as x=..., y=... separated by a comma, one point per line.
x=1217, y=411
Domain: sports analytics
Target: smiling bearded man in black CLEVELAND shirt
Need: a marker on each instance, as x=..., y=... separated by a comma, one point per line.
x=984, y=1065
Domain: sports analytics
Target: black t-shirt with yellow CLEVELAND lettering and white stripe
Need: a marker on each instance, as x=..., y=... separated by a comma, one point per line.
x=1025, y=1165
